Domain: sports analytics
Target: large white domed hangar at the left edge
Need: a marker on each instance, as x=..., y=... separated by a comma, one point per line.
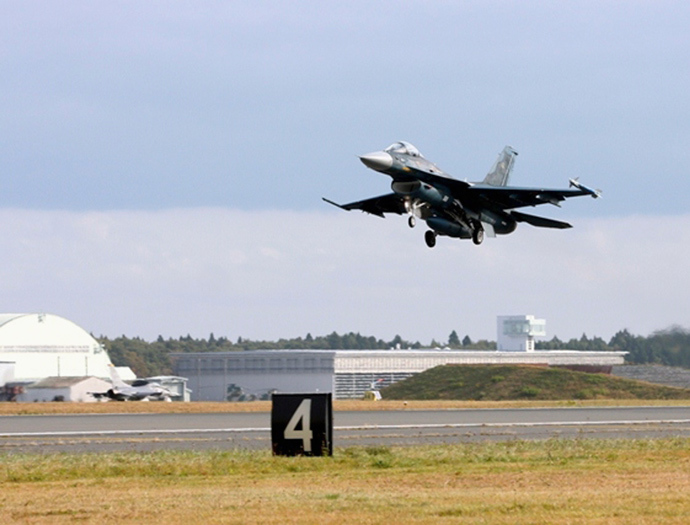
x=46, y=345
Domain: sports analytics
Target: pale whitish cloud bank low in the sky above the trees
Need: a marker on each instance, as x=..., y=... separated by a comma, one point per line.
x=272, y=274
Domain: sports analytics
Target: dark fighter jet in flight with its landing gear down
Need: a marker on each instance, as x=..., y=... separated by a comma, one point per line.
x=456, y=208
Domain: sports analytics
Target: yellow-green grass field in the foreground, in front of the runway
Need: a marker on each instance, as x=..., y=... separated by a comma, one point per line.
x=555, y=481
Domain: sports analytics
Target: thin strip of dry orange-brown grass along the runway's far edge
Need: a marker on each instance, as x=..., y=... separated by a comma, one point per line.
x=265, y=406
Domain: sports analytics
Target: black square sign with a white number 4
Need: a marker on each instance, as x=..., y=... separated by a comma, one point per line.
x=302, y=425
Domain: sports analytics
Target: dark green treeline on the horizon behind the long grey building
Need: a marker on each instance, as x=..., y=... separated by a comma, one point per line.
x=667, y=347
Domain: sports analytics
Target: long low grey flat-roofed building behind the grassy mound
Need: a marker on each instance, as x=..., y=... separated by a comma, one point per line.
x=220, y=376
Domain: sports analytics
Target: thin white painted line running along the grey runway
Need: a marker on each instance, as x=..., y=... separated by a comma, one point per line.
x=349, y=428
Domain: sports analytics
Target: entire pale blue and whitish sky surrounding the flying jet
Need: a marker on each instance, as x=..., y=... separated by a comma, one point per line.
x=162, y=164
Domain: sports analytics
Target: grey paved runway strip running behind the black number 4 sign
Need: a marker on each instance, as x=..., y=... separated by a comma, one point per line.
x=146, y=432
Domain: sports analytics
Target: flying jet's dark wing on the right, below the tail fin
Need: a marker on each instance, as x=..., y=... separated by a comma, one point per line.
x=508, y=198
